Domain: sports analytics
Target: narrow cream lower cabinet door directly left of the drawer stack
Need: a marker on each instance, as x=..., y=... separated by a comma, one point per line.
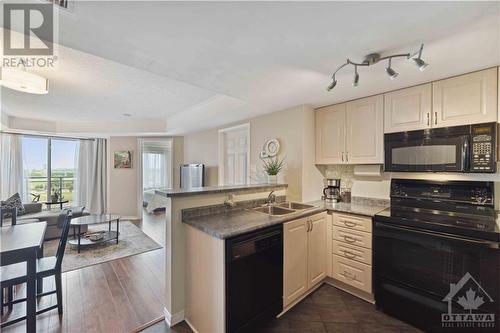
x=317, y=250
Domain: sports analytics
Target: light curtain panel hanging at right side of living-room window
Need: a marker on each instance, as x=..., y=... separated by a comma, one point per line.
x=91, y=181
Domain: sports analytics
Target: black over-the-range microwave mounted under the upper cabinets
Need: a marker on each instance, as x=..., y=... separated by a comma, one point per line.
x=469, y=148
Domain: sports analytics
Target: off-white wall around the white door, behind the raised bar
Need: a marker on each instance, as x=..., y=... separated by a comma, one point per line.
x=294, y=128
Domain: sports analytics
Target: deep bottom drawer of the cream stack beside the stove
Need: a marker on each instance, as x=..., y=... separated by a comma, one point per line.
x=353, y=273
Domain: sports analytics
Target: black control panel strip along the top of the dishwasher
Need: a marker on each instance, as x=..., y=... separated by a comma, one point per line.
x=262, y=242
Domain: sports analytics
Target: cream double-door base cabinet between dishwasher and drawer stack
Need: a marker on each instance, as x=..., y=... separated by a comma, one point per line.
x=304, y=256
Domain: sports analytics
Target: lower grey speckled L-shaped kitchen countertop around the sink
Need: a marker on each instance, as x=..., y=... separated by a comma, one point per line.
x=240, y=221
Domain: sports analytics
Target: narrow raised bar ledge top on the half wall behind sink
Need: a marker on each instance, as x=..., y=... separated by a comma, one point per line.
x=218, y=189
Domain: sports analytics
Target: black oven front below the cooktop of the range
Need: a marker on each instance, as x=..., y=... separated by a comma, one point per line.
x=414, y=271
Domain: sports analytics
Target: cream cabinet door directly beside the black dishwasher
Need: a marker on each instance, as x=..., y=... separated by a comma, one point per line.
x=294, y=260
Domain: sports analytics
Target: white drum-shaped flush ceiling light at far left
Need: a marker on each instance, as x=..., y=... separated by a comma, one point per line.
x=21, y=80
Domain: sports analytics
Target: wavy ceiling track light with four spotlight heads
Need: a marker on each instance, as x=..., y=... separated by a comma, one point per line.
x=374, y=58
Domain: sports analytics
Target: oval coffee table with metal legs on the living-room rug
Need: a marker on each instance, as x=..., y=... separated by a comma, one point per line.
x=109, y=235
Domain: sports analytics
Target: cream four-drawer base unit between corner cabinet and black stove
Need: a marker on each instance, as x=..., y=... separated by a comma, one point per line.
x=350, y=250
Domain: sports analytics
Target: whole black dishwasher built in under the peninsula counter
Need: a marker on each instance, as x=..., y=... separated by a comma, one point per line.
x=254, y=279
